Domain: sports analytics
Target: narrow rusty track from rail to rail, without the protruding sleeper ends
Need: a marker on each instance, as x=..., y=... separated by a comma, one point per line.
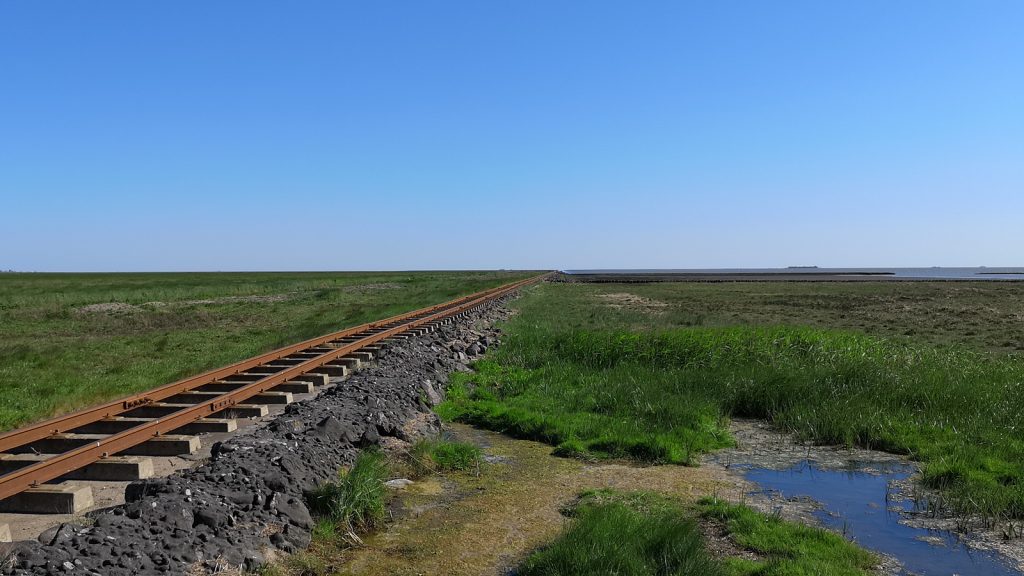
x=108, y=430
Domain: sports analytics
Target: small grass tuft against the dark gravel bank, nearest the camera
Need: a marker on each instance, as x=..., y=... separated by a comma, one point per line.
x=357, y=502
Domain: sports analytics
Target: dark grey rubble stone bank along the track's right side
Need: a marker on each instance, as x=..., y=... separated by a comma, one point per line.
x=247, y=504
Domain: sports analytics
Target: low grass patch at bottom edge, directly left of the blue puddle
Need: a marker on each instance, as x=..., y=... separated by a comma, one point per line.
x=788, y=549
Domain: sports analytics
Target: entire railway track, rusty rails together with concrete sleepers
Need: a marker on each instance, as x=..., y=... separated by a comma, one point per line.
x=104, y=442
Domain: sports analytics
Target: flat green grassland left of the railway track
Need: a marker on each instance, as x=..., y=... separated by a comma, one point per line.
x=68, y=341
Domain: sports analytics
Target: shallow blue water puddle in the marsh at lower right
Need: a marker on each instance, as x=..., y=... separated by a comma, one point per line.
x=859, y=503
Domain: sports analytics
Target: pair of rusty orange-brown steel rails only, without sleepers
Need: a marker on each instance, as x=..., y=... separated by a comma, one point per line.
x=61, y=465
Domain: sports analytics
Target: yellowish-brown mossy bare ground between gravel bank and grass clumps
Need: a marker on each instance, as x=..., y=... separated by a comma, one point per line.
x=485, y=525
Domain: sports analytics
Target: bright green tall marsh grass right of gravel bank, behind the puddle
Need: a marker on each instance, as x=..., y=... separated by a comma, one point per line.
x=568, y=375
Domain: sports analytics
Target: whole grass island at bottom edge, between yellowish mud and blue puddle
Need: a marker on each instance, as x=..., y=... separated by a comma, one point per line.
x=644, y=533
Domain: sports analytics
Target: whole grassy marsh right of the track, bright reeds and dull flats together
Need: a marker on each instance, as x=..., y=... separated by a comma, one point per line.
x=634, y=372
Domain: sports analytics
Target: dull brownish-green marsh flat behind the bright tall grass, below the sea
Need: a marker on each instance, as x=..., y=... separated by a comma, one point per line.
x=980, y=316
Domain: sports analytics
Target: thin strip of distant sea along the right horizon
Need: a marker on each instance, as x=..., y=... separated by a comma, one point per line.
x=980, y=273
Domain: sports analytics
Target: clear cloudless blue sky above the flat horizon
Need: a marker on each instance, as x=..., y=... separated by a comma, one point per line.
x=358, y=136
